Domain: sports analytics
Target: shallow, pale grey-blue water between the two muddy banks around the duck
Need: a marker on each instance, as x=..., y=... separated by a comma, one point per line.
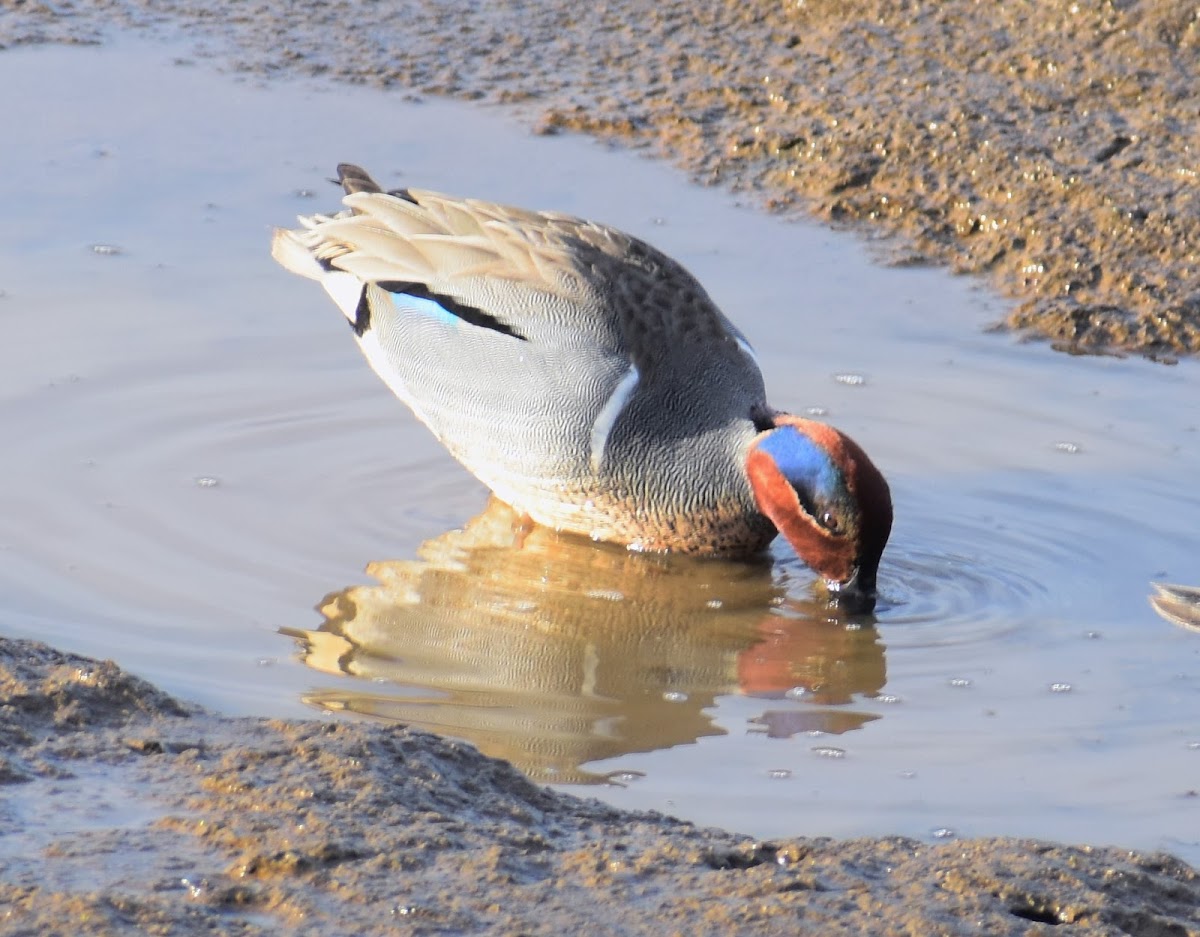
x=199, y=458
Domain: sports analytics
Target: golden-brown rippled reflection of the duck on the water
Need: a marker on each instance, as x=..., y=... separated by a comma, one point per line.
x=553, y=652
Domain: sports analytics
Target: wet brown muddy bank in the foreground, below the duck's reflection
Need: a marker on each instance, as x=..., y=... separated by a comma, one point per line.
x=125, y=809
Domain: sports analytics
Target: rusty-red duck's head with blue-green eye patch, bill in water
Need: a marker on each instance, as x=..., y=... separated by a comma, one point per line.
x=827, y=498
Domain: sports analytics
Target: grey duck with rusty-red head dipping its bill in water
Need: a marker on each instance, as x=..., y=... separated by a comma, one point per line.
x=590, y=382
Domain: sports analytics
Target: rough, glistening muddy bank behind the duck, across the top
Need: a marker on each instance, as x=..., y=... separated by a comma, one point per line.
x=1053, y=148
